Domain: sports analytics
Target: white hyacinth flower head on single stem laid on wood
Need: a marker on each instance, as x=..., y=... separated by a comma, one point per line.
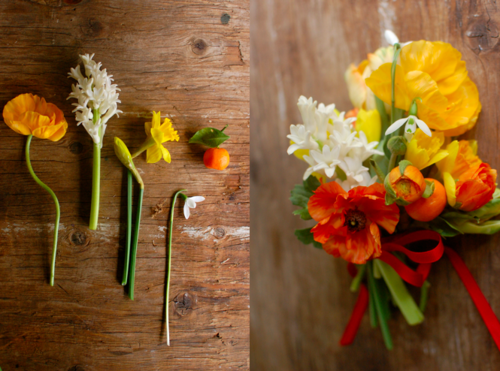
x=96, y=95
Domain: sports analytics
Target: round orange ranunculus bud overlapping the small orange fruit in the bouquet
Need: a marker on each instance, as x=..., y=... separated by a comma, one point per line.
x=406, y=187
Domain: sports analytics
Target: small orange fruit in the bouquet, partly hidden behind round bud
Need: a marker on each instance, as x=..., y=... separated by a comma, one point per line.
x=427, y=209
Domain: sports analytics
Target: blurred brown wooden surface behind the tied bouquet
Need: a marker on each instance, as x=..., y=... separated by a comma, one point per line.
x=300, y=296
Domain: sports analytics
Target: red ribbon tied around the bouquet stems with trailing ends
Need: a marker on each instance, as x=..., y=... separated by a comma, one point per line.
x=418, y=277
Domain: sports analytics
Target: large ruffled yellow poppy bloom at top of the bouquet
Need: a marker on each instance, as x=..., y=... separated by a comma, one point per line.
x=434, y=72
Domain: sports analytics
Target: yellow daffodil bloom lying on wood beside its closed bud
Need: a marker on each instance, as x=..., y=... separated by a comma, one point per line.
x=158, y=134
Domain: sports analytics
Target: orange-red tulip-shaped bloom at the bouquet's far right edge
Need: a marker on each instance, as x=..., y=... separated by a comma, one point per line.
x=475, y=187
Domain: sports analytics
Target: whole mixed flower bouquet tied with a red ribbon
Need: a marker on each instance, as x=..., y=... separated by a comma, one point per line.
x=389, y=179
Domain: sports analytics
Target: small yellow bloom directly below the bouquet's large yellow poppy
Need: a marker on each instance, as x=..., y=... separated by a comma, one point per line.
x=423, y=151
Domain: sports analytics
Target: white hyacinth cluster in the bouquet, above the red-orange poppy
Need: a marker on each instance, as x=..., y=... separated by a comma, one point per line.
x=332, y=144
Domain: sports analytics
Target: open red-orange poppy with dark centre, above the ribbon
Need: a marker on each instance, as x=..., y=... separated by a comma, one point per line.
x=348, y=222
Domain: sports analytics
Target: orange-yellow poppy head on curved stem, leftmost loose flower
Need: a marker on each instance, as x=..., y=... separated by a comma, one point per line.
x=28, y=114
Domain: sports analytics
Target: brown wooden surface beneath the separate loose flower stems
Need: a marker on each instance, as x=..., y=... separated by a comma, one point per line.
x=190, y=60
